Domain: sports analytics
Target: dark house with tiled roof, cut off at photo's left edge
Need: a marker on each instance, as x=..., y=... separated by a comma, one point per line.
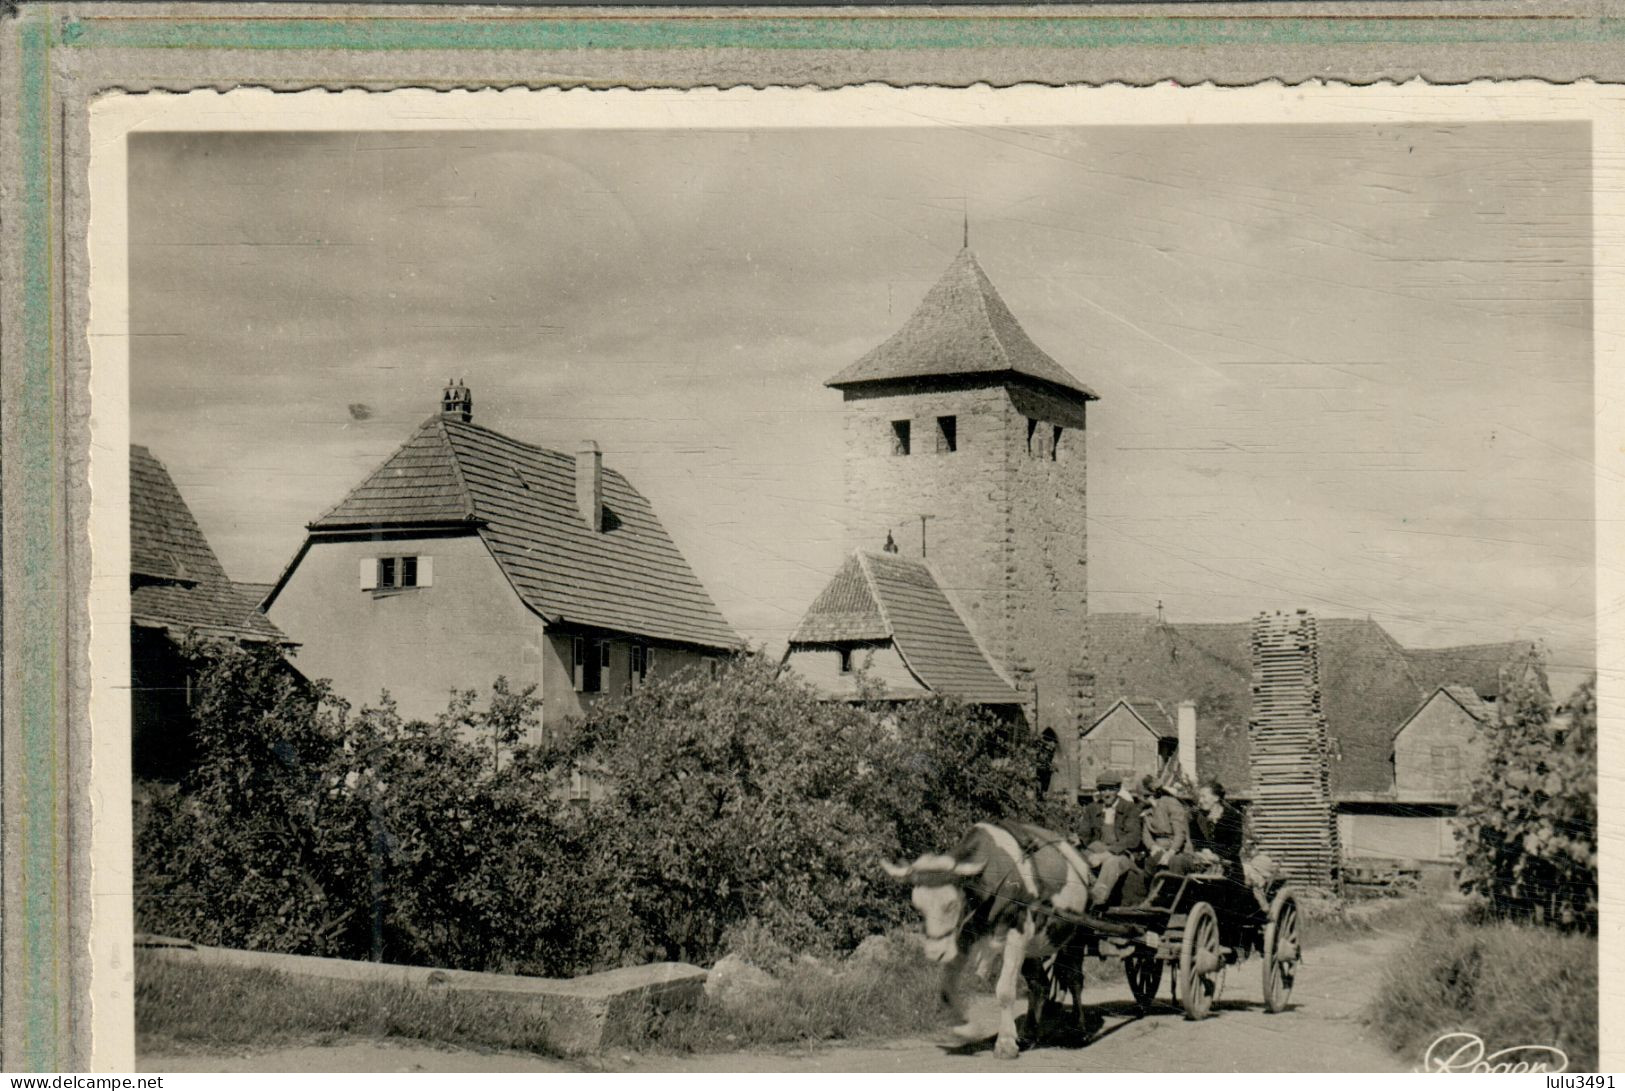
x=180, y=593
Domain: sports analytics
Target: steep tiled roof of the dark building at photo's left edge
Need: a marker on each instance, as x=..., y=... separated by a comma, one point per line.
x=178, y=583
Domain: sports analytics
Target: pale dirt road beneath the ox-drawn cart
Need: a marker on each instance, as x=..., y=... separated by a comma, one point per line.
x=1322, y=1032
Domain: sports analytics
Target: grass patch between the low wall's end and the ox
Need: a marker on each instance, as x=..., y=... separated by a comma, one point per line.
x=886, y=996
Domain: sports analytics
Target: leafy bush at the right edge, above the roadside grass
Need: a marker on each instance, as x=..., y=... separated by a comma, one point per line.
x=1528, y=843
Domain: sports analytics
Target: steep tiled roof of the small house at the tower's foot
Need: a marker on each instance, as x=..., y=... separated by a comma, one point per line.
x=914, y=615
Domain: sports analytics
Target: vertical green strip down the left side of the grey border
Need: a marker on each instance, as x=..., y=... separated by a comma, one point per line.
x=38, y=614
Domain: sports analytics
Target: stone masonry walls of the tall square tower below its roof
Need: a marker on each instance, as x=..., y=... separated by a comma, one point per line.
x=1007, y=534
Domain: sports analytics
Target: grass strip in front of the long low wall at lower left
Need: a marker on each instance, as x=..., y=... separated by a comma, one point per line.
x=210, y=1009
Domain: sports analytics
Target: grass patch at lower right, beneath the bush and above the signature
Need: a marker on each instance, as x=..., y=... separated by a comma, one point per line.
x=1509, y=985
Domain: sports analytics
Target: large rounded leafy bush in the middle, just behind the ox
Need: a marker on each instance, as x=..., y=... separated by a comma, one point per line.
x=752, y=799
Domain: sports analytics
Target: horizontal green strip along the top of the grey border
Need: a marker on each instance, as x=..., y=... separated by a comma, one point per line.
x=860, y=33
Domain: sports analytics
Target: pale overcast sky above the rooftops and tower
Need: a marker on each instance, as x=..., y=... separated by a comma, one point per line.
x=1341, y=368
